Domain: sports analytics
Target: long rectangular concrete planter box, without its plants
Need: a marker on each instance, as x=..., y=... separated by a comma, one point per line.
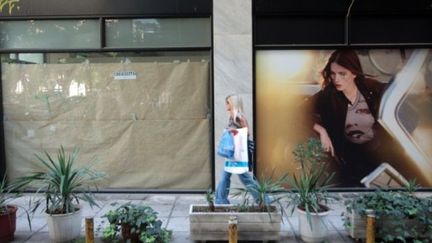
x=250, y=225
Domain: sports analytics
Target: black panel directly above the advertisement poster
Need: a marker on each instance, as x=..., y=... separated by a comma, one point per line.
x=317, y=22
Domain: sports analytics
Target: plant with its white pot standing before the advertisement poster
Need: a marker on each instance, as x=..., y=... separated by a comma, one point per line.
x=309, y=186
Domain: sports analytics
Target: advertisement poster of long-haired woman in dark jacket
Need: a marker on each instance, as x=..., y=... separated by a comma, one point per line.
x=370, y=108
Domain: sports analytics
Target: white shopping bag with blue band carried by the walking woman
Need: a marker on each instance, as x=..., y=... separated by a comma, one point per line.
x=239, y=164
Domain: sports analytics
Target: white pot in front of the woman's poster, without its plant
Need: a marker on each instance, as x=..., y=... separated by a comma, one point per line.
x=319, y=230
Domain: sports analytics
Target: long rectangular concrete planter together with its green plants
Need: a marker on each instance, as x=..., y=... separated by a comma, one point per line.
x=259, y=220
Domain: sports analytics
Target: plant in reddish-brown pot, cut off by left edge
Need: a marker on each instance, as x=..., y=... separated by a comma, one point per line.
x=8, y=211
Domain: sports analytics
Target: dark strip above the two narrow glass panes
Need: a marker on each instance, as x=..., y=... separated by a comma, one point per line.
x=102, y=8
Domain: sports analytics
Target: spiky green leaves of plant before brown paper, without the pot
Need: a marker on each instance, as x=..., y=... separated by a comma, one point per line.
x=63, y=183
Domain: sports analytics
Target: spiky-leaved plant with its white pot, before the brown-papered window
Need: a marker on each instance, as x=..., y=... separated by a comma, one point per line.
x=64, y=185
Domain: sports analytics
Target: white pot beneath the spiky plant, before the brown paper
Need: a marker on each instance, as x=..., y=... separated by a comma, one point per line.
x=64, y=227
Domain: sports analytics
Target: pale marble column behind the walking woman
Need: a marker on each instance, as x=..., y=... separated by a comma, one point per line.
x=232, y=45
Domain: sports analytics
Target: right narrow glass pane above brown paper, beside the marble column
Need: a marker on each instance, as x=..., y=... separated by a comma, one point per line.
x=158, y=32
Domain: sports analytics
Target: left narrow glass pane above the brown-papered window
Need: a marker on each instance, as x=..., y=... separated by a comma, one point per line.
x=64, y=34
